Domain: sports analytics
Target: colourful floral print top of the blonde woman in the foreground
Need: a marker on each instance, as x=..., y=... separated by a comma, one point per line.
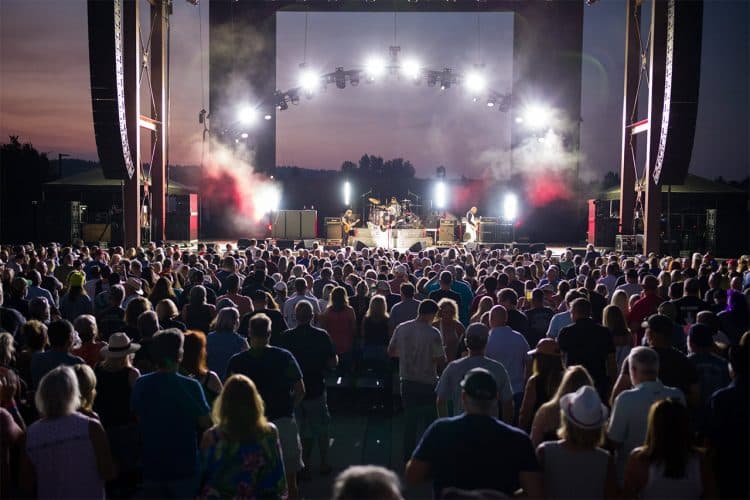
x=243, y=469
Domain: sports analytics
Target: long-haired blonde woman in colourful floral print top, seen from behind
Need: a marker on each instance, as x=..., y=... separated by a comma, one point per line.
x=241, y=454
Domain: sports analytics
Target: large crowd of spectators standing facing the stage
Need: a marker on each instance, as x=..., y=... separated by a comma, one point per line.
x=176, y=373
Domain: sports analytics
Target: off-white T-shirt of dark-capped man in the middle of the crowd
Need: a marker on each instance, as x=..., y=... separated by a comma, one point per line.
x=417, y=345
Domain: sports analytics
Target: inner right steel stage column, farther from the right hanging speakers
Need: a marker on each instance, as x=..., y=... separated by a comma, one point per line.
x=630, y=96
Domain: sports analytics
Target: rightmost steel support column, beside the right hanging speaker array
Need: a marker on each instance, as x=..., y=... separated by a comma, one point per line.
x=657, y=69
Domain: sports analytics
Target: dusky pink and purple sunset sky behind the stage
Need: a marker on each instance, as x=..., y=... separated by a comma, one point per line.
x=44, y=86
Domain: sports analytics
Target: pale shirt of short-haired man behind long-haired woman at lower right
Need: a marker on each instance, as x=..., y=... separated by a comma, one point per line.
x=629, y=421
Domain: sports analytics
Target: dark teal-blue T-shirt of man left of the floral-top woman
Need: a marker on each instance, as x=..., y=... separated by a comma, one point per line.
x=168, y=406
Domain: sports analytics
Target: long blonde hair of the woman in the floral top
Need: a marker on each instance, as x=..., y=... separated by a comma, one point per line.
x=239, y=410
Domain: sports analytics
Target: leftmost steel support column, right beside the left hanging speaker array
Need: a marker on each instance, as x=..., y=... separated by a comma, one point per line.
x=131, y=215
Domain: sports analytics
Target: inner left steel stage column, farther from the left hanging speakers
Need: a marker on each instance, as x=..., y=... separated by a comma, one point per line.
x=160, y=113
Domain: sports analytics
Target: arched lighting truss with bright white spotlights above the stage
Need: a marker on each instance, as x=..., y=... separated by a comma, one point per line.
x=376, y=69
